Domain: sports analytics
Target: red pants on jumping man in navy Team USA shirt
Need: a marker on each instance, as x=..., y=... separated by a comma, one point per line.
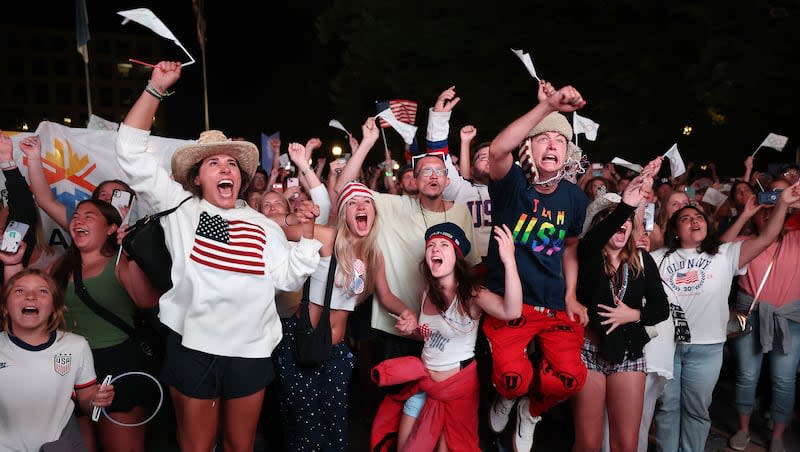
x=561, y=372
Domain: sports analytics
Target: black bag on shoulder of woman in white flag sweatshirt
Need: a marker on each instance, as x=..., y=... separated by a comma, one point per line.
x=144, y=244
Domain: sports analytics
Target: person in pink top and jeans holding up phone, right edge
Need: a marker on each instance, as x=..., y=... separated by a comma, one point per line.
x=775, y=321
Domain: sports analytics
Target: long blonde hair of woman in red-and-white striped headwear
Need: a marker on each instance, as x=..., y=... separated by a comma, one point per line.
x=347, y=246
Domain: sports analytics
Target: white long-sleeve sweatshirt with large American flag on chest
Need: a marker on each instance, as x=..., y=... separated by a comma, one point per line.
x=225, y=269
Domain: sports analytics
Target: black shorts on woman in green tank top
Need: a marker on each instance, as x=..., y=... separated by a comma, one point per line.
x=130, y=391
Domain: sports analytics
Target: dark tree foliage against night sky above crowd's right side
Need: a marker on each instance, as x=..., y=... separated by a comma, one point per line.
x=647, y=69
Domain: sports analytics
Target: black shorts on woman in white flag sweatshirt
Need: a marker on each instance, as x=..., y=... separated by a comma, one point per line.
x=202, y=375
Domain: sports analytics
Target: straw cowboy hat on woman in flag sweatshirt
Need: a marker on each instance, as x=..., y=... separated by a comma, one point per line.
x=212, y=142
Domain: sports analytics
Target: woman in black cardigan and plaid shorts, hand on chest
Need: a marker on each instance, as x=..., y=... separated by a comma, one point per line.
x=618, y=313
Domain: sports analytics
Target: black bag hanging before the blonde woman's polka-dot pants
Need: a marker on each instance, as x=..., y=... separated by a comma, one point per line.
x=313, y=345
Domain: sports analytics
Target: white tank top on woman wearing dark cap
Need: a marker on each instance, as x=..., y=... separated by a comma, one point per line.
x=449, y=337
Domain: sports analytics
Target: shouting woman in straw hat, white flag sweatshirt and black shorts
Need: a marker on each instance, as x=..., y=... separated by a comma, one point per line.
x=228, y=260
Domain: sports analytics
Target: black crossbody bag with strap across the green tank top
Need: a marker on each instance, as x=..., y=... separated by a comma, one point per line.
x=147, y=333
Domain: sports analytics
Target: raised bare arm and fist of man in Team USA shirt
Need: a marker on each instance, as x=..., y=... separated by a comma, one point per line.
x=565, y=100
